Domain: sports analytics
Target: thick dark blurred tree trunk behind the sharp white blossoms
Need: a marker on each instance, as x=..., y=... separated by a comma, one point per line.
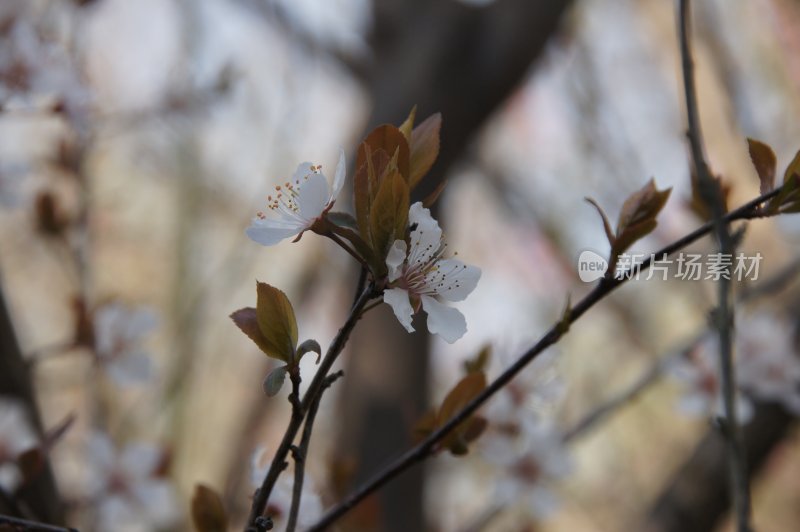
x=463, y=61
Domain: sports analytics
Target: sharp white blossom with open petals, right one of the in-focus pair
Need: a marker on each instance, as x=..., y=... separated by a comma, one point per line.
x=420, y=277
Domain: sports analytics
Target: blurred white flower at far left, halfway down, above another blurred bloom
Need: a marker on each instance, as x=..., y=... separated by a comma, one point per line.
x=119, y=332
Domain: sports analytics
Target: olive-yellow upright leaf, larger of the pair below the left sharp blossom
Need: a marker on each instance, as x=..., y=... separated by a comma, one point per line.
x=277, y=322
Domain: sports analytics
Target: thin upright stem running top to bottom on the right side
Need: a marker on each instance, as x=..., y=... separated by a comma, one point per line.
x=711, y=193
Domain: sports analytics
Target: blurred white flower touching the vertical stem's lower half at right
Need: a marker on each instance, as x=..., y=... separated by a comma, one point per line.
x=698, y=372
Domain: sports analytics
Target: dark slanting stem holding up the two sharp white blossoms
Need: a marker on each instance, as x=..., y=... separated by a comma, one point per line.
x=315, y=388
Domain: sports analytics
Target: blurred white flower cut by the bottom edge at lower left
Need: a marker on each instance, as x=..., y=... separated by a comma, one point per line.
x=126, y=489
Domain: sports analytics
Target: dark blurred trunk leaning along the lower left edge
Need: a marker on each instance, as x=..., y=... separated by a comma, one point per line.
x=39, y=497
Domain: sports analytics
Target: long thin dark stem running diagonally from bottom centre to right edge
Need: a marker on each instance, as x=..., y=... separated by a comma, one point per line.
x=606, y=285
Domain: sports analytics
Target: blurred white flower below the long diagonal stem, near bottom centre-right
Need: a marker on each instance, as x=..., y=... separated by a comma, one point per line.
x=528, y=452
